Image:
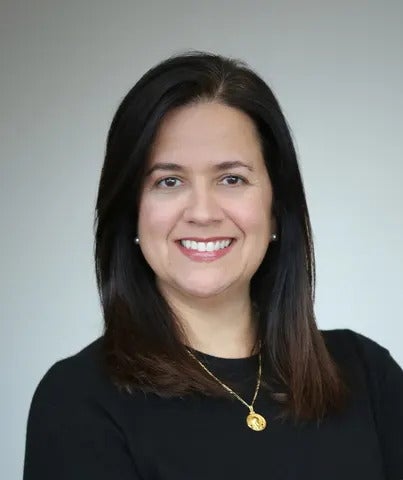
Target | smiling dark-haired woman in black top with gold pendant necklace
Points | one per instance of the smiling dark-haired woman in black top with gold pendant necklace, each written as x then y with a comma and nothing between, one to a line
211,365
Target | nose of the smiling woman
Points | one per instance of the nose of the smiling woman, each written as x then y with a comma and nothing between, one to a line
202,207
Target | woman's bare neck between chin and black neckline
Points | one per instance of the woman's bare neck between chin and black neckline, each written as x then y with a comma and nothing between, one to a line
224,327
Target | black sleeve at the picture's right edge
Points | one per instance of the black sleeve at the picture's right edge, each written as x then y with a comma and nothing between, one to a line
385,378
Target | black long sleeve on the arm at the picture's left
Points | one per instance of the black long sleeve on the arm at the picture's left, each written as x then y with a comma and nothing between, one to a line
70,436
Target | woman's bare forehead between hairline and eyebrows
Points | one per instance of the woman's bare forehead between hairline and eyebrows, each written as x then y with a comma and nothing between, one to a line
209,129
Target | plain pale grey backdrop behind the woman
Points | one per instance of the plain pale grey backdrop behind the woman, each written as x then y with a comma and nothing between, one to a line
337,69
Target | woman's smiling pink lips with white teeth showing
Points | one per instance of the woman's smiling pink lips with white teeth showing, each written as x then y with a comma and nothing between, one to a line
205,250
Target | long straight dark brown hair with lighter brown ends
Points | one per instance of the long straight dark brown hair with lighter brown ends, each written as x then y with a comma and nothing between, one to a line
143,342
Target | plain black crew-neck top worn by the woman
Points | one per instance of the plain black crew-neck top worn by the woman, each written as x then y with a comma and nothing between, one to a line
80,427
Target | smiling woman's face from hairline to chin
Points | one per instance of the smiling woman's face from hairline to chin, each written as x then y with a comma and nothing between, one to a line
205,207
